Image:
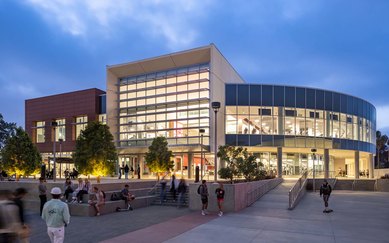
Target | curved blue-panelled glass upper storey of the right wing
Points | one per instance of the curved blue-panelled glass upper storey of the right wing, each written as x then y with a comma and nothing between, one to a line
297,117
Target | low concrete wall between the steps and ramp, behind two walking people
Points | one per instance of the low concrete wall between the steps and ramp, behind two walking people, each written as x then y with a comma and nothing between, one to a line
235,197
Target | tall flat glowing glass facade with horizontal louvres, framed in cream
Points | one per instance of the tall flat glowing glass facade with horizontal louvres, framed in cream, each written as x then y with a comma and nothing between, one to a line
173,103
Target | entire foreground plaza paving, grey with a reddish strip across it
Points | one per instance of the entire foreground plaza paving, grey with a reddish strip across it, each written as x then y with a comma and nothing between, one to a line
357,217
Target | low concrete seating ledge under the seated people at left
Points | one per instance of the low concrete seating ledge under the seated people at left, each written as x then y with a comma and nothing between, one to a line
84,209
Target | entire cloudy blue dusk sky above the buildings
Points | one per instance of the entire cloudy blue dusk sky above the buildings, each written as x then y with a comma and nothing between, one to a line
56,46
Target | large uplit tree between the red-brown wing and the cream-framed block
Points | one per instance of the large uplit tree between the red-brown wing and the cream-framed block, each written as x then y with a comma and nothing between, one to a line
95,153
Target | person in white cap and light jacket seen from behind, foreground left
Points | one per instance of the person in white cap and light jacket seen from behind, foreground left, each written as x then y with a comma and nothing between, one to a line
56,214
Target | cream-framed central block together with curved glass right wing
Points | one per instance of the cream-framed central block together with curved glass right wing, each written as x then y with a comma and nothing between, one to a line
290,129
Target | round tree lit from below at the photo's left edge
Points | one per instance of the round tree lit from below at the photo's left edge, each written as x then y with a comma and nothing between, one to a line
20,156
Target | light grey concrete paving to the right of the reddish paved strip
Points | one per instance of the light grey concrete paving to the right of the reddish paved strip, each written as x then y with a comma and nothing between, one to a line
357,217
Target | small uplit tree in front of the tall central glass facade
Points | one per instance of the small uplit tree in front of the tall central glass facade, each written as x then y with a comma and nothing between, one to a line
158,158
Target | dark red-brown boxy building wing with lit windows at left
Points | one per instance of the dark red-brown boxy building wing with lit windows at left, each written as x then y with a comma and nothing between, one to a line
61,118
